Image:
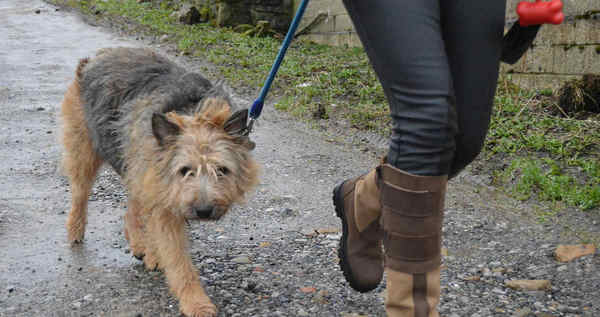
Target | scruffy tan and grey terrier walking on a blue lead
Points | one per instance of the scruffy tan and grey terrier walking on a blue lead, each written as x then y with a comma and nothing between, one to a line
178,144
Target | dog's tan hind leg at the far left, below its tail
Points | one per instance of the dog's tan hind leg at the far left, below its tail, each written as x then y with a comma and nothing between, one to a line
80,161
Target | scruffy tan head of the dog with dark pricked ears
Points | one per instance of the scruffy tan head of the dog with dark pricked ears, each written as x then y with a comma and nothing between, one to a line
210,166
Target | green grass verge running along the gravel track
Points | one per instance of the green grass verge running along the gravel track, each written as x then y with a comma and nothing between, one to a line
529,151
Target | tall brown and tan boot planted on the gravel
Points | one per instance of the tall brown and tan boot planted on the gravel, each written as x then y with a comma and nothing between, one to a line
412,216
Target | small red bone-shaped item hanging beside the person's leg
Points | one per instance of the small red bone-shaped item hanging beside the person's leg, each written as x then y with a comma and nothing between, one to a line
540,12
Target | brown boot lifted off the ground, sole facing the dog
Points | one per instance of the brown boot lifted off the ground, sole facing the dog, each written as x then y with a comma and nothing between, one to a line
361,256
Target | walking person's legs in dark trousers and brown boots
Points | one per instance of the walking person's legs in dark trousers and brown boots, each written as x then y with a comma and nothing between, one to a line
407,47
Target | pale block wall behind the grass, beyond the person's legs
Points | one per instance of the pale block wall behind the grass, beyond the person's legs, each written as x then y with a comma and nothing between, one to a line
559,53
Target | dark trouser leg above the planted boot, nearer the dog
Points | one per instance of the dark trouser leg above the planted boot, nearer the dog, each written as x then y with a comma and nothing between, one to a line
404,42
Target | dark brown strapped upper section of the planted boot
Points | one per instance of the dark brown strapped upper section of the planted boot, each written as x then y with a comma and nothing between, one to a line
412,220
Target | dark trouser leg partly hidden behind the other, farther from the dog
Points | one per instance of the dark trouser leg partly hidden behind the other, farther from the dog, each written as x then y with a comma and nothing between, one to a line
472,32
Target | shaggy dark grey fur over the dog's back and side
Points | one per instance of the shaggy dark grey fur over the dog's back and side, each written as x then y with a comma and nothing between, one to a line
122,87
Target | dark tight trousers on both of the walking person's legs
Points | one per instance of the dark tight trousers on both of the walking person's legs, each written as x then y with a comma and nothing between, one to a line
438,64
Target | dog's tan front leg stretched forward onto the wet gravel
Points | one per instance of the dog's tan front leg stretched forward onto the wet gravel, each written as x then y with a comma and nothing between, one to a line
167,232
